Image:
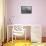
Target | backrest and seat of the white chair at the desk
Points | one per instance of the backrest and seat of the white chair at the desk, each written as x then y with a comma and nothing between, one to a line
18,30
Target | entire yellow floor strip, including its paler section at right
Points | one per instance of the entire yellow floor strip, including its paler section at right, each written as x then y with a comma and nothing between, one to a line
23,43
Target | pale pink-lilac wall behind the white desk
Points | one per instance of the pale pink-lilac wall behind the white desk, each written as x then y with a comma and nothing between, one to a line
38,15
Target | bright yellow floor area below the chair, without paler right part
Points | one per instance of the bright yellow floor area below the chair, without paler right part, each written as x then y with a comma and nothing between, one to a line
18,43
